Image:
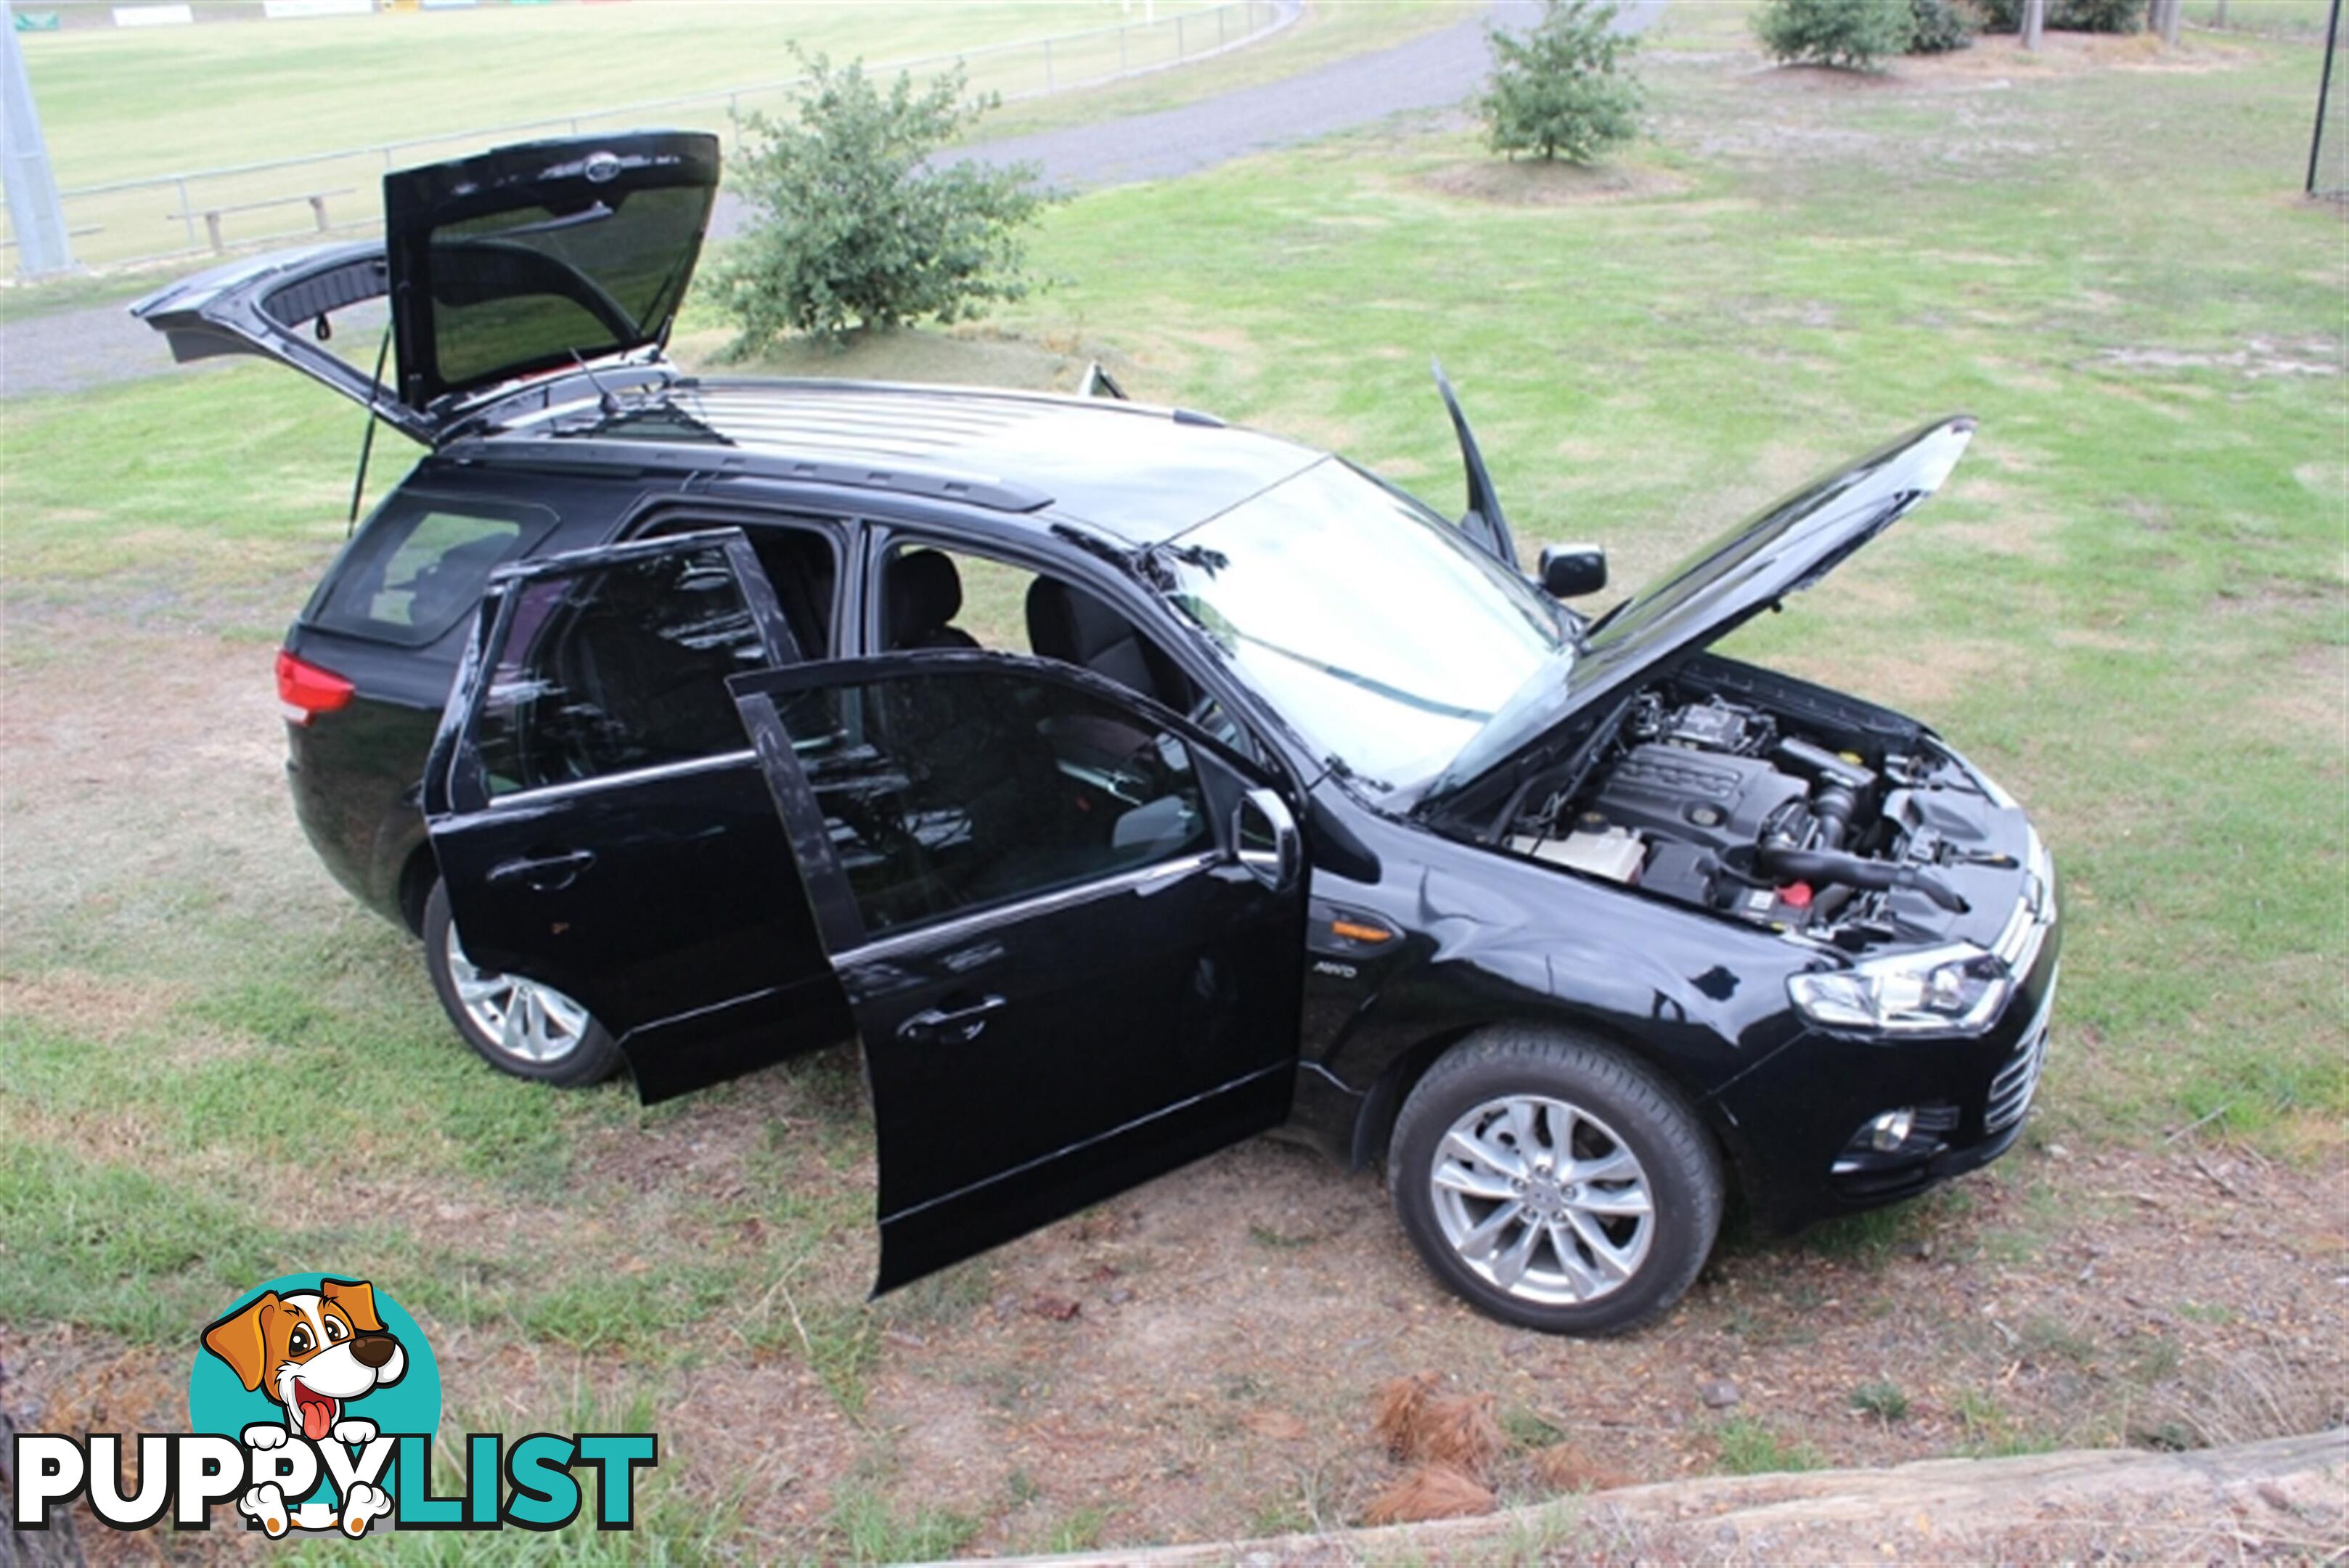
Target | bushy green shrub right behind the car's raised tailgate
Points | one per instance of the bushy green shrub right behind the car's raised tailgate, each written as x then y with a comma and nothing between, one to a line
854,227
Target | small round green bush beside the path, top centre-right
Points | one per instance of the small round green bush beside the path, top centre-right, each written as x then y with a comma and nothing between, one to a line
1566,88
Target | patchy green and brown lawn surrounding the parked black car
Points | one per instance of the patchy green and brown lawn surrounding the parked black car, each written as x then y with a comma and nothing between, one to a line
2129,605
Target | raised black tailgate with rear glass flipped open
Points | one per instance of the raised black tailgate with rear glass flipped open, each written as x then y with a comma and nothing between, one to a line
502,267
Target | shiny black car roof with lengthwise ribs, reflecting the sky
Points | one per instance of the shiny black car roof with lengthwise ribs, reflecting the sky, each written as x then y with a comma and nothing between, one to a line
1131,471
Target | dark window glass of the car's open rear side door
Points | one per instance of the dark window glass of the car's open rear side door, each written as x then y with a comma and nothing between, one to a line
617,669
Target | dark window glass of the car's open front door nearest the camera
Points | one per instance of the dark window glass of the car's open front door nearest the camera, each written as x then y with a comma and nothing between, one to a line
948,791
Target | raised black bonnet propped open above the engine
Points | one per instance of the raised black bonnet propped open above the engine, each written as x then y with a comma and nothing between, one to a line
1782,549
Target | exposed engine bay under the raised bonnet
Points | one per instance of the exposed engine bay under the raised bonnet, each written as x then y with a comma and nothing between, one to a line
1782,815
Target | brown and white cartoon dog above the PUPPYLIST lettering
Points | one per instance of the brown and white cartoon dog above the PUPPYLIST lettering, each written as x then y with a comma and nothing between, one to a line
316,1353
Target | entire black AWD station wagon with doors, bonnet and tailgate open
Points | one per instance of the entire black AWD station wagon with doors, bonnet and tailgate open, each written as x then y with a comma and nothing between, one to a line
652,706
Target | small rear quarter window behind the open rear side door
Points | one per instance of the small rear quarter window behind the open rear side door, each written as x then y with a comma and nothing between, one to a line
419,568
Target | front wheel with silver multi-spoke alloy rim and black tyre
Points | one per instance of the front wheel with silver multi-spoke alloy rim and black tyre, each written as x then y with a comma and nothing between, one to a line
1554,1184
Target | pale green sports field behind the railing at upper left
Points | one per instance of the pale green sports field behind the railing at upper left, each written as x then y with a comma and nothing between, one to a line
128,105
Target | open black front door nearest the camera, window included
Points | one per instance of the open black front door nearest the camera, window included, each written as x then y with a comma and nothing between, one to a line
1068,925
